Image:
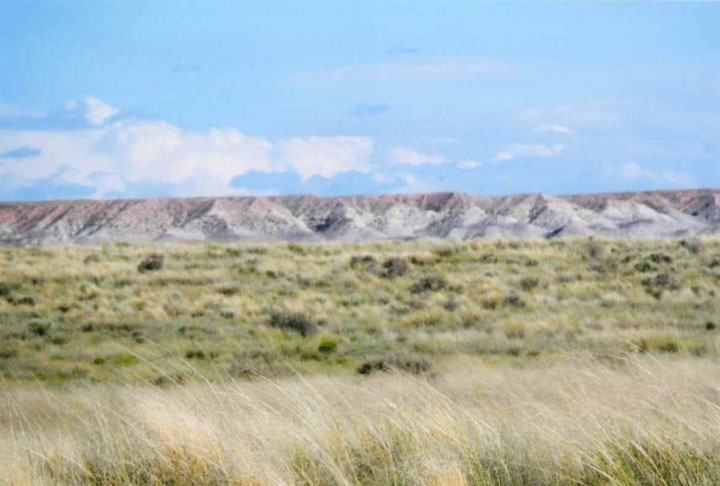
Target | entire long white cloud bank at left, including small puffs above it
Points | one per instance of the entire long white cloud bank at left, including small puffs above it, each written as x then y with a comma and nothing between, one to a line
115,158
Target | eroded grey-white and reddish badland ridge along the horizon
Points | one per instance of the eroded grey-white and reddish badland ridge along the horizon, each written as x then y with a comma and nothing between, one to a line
453,216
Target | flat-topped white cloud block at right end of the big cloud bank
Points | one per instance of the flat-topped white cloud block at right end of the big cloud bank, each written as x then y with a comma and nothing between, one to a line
326,156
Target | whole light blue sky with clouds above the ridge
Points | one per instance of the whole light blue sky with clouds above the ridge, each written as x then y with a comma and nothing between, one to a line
132,99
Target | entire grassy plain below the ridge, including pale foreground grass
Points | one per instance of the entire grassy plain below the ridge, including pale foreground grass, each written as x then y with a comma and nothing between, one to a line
579,362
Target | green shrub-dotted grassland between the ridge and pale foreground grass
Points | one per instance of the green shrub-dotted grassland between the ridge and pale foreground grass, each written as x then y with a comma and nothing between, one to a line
212,310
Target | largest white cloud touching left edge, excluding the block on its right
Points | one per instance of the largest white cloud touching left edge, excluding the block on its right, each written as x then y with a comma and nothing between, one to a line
112,158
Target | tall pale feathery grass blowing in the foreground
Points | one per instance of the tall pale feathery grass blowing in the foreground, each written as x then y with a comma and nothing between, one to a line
638,421
